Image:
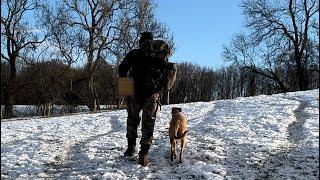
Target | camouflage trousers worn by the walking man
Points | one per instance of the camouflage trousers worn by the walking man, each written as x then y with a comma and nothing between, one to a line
148,106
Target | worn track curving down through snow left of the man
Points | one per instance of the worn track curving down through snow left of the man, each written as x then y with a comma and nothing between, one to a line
86,156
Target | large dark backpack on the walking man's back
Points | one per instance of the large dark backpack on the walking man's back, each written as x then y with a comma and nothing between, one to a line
160,74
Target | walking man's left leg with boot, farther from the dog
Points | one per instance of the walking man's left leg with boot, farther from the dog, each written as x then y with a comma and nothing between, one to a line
133,121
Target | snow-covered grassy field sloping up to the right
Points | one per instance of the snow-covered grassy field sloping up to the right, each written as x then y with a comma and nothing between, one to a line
263,137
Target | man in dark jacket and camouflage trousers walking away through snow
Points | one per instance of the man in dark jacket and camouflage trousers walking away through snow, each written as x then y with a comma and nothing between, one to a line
146,98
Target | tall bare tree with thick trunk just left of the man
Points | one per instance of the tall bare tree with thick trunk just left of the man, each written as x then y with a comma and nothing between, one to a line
96,26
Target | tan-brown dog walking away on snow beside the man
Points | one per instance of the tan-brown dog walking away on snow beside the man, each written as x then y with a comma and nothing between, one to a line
177,131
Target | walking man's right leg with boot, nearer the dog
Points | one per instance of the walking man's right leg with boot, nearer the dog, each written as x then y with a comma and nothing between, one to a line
148,121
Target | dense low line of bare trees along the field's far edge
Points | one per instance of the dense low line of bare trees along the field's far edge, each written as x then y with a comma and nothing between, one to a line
47,83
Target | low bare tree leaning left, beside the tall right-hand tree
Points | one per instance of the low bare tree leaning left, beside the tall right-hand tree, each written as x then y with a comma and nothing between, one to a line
264,60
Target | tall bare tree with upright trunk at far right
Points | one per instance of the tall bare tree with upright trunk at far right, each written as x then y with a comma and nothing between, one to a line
291,22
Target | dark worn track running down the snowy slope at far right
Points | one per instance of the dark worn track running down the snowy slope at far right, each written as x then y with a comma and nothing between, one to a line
288,158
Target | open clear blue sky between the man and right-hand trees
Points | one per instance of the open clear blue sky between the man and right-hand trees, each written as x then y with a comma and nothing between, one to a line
200,28
